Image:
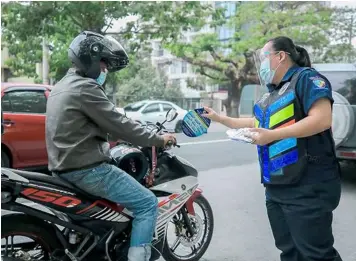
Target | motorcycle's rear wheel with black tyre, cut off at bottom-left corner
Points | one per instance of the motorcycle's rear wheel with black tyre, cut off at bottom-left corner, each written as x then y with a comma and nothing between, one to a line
26,241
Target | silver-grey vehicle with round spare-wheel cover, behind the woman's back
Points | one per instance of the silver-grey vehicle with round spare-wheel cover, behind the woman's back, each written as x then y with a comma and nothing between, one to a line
343,80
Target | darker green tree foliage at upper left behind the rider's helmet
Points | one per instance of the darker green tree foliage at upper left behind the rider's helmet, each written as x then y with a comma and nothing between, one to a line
24,24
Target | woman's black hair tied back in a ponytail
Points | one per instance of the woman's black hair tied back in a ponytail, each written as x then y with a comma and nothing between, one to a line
298,54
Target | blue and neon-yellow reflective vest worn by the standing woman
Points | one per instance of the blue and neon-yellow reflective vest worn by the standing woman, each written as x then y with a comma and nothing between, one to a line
282,161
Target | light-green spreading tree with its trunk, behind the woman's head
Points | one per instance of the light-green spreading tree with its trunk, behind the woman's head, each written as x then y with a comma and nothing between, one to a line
254,23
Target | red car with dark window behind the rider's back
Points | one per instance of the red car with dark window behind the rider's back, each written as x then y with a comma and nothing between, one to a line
23,144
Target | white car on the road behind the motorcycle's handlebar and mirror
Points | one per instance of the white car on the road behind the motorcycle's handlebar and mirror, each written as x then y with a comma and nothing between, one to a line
154,111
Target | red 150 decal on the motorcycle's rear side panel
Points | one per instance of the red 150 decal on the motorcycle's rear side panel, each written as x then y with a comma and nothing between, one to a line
50,197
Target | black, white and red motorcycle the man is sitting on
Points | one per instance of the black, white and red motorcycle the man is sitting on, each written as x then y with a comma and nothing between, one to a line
64,222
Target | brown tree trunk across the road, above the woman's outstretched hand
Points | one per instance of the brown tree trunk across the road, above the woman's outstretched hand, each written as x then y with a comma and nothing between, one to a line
232,103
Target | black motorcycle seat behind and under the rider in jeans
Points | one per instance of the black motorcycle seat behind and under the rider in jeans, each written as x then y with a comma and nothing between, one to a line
54,180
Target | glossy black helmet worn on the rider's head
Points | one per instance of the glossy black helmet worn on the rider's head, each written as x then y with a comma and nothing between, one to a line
89,48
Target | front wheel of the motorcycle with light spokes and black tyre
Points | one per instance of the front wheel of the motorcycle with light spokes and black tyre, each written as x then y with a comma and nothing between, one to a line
180,244
